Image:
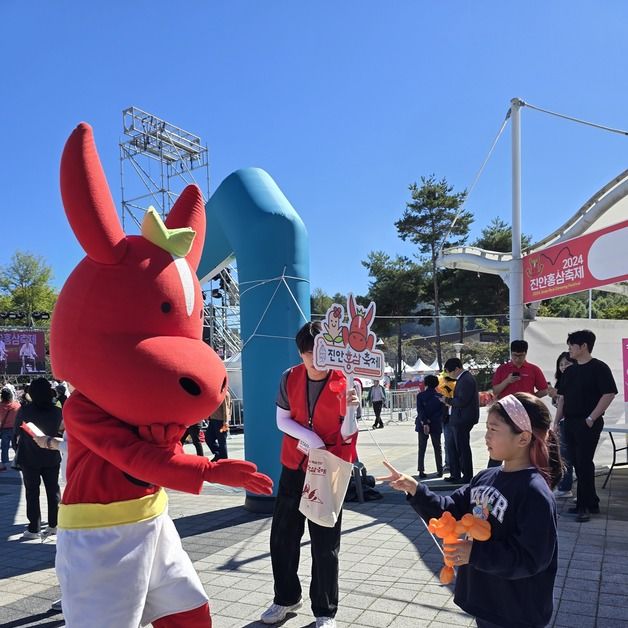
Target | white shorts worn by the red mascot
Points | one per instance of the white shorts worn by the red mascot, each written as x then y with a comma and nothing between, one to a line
125,576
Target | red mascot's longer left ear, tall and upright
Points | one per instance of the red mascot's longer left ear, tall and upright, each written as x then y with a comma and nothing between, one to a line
87,199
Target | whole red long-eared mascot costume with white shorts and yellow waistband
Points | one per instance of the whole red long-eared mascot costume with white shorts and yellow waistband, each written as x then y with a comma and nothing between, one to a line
126,333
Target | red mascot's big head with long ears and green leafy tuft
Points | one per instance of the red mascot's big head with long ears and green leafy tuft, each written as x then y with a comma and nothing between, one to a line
127,328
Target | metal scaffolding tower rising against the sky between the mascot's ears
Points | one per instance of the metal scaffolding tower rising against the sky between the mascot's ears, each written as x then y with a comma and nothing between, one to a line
157,159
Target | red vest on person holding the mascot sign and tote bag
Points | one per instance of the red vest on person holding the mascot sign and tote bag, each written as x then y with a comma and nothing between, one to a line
326,419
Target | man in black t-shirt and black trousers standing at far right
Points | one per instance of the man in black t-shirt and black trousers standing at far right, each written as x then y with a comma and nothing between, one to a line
586,390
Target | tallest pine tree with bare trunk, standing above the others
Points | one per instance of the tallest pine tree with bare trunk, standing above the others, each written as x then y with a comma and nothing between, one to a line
431,221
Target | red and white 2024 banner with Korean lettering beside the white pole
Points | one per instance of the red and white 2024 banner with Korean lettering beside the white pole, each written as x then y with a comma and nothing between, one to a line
589,261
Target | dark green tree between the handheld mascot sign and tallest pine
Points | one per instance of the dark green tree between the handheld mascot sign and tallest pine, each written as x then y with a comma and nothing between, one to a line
395,287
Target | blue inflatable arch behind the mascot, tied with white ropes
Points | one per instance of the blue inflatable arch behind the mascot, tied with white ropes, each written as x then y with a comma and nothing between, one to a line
249,218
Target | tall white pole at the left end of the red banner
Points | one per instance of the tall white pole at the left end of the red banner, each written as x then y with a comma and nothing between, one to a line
516,265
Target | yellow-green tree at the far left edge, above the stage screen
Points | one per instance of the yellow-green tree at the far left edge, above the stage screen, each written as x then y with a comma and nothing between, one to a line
25,286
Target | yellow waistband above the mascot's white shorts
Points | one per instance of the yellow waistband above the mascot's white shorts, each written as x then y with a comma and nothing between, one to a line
86,516
